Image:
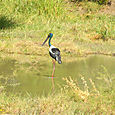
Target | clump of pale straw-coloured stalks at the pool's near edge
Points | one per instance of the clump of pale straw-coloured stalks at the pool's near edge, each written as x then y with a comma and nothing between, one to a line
81,94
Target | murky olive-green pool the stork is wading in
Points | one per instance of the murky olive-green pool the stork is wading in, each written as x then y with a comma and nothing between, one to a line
36,79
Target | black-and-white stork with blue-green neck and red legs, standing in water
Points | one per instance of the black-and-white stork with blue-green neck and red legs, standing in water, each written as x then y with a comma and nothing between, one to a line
54,52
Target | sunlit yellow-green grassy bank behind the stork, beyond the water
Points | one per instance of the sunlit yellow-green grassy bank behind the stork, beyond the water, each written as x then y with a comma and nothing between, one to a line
80,25
